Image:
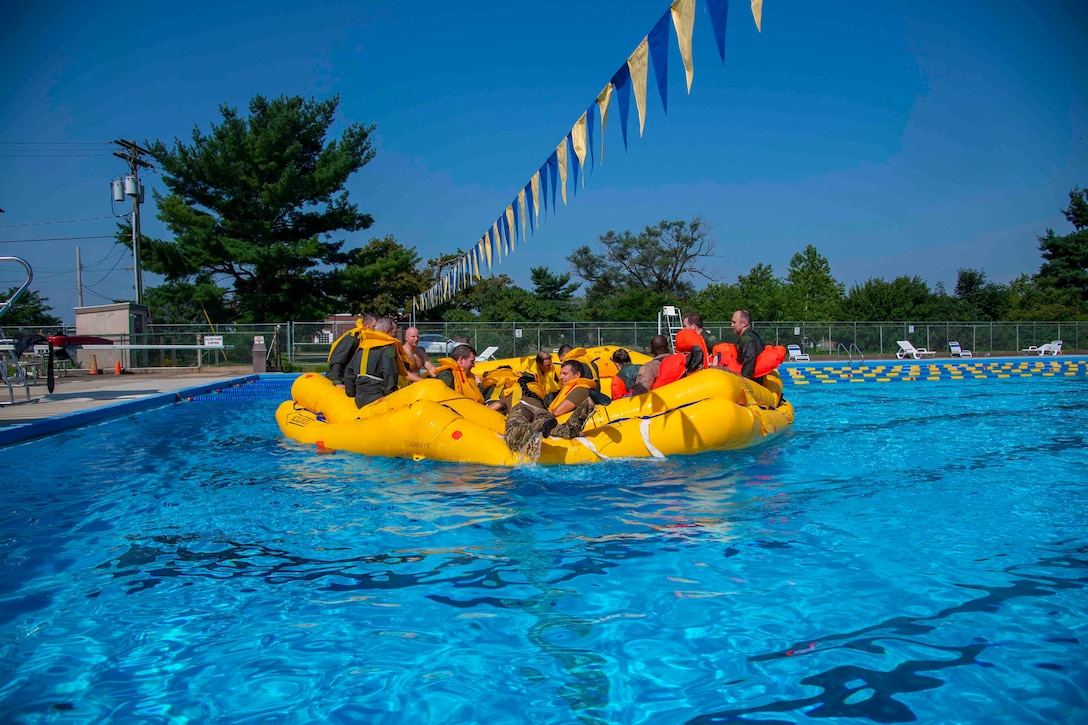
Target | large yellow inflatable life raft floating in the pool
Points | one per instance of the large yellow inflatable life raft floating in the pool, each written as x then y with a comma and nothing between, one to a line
712,410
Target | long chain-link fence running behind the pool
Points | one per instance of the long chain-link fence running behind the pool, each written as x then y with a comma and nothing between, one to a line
305,346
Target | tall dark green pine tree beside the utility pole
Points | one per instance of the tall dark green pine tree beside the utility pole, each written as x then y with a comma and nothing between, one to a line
257,202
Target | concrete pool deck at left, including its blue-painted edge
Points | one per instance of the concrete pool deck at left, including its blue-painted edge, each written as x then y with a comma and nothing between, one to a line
82,399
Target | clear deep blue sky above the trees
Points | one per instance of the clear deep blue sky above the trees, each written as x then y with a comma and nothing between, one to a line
898,138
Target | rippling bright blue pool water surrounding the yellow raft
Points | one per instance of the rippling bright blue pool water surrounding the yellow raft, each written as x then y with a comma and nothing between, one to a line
909,552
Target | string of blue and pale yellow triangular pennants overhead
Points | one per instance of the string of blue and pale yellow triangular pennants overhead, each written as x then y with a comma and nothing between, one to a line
523,215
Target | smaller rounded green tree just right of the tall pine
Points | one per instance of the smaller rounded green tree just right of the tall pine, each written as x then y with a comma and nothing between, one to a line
380,278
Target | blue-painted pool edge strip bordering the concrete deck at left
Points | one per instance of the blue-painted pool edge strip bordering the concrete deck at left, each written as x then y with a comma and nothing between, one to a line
20,433
